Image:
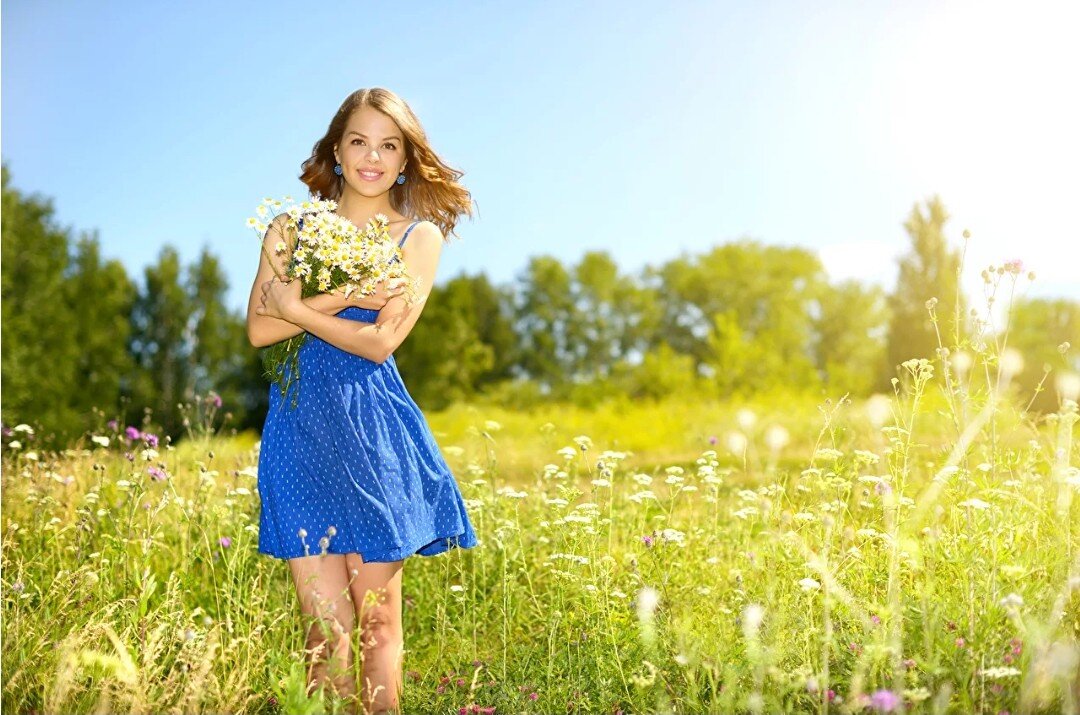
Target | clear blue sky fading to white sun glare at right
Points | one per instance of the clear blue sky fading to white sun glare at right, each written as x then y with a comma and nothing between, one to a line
645,130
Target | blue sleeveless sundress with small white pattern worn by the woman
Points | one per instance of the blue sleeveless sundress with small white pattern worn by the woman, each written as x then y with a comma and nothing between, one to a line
355,464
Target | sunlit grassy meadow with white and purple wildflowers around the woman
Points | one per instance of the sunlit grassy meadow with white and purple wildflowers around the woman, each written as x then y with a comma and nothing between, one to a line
916,552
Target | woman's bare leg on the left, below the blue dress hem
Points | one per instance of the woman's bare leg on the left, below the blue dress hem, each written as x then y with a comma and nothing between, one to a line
322,586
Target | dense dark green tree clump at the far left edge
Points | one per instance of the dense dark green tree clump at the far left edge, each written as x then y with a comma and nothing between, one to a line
63,321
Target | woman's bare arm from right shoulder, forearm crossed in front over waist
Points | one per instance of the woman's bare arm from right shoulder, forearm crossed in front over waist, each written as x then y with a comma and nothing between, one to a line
377,342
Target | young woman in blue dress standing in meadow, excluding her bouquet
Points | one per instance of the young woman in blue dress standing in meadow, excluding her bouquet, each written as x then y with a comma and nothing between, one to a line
352,481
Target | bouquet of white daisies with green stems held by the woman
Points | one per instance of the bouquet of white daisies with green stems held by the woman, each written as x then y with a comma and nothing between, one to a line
329,253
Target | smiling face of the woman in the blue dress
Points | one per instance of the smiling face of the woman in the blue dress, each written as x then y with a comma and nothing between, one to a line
371,152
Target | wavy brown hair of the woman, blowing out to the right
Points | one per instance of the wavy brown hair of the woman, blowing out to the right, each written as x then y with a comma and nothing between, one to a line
431,191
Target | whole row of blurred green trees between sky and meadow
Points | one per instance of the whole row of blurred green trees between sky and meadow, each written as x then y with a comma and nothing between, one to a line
84,343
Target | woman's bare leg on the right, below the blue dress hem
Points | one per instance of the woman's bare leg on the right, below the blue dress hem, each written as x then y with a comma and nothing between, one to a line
377,599
